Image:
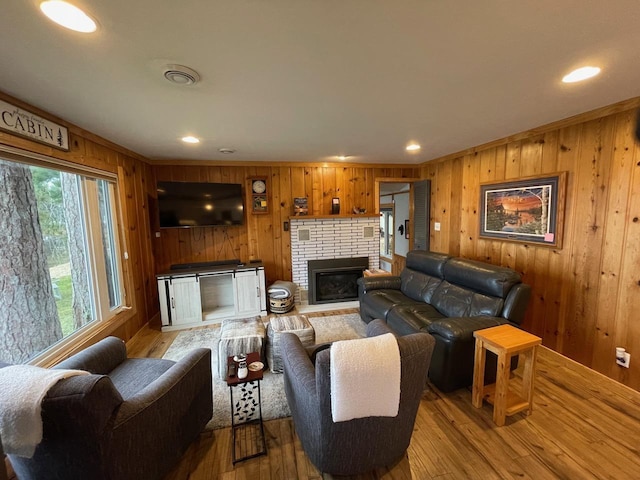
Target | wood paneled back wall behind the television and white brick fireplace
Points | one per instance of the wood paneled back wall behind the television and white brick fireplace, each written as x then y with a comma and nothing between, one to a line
263,236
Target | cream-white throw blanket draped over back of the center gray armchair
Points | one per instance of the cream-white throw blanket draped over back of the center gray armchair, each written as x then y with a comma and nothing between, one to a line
365,378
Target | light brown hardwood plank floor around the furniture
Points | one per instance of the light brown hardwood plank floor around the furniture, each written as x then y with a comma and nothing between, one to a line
584,425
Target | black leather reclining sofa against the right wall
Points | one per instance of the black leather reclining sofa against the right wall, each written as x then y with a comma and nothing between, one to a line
449,298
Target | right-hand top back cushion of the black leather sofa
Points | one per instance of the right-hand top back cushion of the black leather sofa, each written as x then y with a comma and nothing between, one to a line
481,277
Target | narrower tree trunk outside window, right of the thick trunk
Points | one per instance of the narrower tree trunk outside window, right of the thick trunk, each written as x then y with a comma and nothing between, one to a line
81,299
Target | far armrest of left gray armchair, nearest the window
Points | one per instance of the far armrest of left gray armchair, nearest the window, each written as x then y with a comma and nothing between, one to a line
100,358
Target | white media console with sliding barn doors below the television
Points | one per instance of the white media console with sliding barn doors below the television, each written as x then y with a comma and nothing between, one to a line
194,297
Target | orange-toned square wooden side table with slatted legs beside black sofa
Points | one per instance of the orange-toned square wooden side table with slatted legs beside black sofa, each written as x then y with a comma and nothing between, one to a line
505,341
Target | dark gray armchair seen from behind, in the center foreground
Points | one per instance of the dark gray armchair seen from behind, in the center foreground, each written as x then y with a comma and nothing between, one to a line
362,444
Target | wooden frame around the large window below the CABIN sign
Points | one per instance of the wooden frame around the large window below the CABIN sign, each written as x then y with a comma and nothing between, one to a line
102,327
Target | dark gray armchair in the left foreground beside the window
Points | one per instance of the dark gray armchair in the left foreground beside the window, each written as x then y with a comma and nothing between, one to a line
129,419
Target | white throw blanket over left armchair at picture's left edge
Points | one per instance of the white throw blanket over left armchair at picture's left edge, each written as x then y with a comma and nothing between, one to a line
22,388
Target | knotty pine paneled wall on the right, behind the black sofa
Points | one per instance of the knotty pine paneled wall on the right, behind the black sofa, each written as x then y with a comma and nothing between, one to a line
586,296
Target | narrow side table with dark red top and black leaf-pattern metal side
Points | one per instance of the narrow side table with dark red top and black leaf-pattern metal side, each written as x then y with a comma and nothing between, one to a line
246,413
